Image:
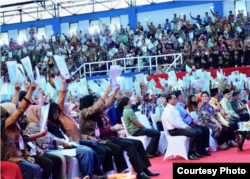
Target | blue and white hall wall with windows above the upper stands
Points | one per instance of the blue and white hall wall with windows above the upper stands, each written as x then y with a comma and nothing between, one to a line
156,12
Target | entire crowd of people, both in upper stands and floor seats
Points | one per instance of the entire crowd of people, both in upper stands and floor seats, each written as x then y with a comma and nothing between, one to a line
92,124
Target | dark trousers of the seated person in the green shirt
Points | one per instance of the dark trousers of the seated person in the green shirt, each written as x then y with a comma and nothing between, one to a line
155,137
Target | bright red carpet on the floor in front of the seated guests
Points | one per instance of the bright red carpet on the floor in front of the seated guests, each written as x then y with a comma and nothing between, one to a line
229,156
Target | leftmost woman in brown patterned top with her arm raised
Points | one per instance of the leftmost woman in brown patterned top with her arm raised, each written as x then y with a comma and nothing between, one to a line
12,140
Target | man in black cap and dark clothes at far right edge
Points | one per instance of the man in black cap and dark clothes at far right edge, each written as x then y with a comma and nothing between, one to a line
241,110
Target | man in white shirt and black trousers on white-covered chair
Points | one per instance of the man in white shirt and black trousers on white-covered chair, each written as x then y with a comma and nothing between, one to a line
176,127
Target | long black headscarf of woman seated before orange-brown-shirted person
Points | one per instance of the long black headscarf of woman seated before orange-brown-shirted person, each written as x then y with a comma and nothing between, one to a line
54,126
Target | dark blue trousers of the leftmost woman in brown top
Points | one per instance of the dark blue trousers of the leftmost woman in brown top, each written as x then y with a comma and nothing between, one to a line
30,170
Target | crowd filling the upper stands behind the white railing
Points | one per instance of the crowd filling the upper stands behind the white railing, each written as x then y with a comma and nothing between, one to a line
210,42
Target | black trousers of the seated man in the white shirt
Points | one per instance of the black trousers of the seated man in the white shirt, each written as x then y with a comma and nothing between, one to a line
193,134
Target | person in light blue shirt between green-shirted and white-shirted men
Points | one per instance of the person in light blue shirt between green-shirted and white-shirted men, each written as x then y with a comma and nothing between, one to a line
159,111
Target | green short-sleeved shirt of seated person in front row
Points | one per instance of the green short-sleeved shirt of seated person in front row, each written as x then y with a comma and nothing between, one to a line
128,117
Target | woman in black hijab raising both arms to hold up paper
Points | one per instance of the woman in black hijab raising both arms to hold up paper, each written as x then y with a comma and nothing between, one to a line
89,113
